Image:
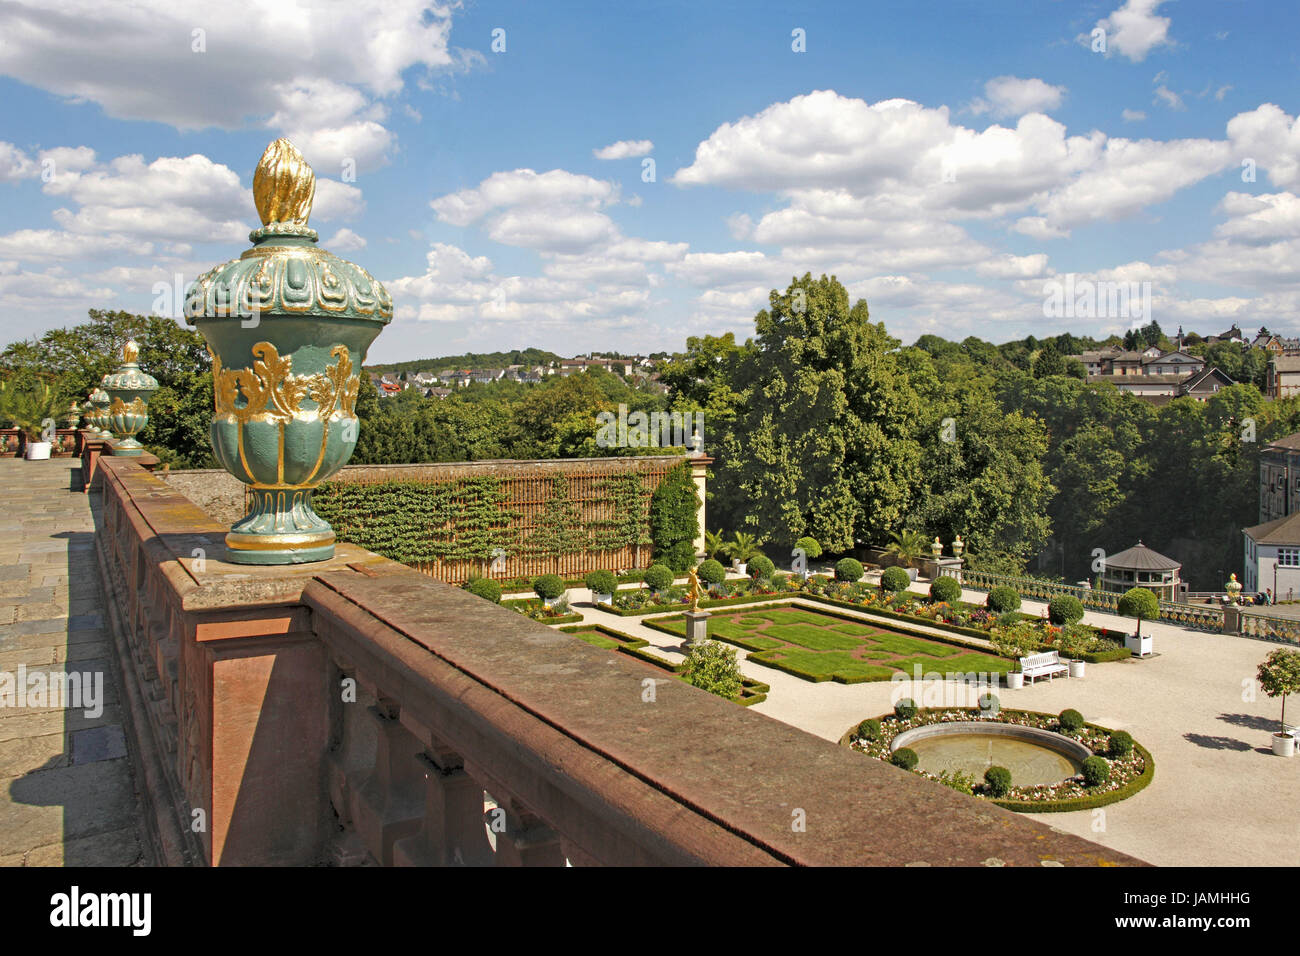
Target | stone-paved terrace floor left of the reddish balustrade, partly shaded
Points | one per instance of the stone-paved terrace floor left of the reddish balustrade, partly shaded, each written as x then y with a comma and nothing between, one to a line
67,790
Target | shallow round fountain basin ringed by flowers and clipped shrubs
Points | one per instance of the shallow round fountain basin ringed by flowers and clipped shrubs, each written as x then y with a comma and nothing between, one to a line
1033,755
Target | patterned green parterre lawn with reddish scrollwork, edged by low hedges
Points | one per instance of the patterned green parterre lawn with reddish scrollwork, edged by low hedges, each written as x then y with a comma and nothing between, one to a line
818,646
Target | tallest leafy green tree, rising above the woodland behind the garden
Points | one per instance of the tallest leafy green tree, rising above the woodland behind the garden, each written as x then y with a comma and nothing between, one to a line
822,443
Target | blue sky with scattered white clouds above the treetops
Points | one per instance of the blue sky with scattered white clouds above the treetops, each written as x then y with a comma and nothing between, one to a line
944,161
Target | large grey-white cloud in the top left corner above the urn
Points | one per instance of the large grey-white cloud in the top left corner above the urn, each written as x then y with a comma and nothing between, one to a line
313,70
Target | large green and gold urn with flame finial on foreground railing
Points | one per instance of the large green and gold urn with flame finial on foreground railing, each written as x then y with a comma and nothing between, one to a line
288,326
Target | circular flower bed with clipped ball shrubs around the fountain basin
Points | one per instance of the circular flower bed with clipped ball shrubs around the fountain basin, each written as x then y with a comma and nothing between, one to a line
1129,775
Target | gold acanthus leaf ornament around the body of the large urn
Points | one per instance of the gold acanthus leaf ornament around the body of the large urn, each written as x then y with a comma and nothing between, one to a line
274,393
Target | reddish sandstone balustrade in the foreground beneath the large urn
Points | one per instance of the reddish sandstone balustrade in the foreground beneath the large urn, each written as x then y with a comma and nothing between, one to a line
358,712
